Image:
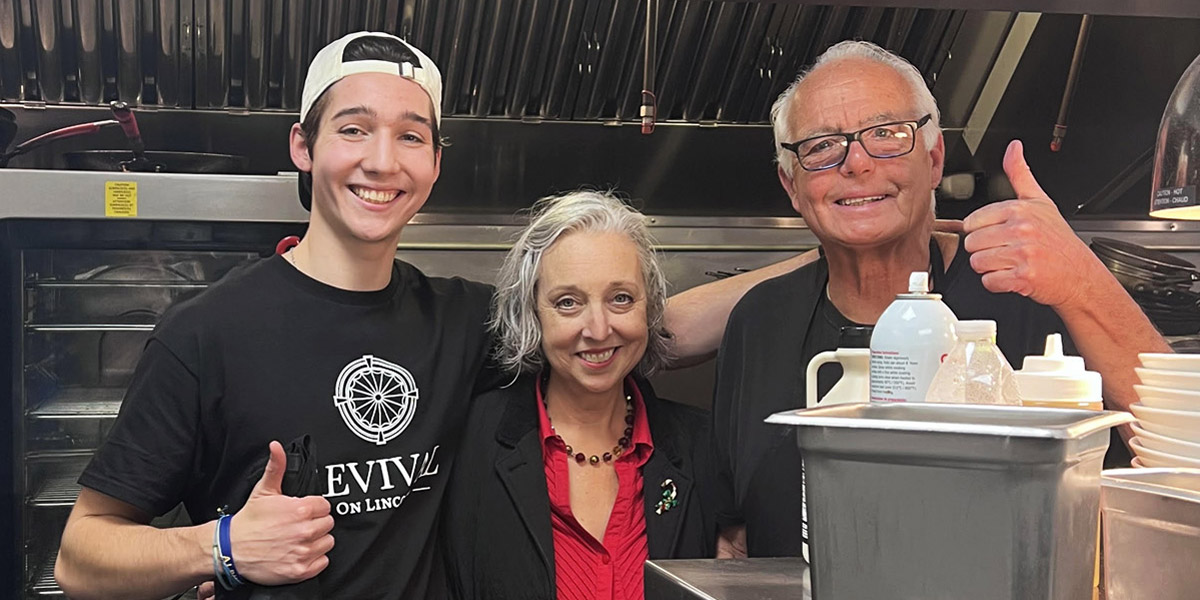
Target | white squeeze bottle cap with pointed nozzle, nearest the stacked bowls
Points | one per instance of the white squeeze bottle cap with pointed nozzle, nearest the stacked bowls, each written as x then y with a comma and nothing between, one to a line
1053,377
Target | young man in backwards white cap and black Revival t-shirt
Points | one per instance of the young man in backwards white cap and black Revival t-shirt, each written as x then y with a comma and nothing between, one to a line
338,341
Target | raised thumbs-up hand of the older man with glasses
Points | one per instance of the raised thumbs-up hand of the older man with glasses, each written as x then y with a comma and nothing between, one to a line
1025,245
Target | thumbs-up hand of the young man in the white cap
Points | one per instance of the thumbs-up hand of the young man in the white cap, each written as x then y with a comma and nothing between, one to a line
279,539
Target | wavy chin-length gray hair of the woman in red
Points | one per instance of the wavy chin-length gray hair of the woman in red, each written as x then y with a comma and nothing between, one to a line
515,307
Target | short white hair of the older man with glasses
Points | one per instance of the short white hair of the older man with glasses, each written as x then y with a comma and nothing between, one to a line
844,51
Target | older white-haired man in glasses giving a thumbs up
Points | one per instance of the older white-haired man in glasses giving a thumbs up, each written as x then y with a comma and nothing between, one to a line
860,155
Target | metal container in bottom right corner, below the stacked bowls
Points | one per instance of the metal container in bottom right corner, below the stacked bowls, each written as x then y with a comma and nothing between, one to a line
1151,533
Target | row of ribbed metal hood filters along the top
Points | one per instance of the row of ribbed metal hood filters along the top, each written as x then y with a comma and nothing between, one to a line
507,59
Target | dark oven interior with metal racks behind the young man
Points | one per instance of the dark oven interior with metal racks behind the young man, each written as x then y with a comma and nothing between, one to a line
82,317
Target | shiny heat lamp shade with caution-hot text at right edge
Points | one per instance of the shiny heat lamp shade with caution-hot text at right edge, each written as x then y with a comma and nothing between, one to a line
1178,152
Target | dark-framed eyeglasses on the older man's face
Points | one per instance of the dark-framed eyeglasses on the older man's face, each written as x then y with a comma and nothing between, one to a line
886,141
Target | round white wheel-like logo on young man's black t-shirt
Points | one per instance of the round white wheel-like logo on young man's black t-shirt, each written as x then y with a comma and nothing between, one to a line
377,399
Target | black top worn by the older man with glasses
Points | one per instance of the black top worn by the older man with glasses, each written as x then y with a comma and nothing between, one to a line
773,334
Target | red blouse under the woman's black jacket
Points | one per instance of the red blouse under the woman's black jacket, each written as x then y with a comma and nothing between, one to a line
586,569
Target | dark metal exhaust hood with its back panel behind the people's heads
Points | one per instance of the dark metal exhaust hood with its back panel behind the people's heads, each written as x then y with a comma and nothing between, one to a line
224,76
